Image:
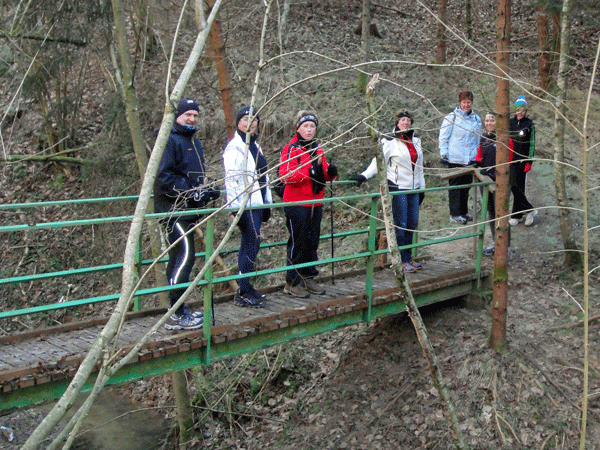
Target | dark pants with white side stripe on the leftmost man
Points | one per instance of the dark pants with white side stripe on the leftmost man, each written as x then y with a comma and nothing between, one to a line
181,256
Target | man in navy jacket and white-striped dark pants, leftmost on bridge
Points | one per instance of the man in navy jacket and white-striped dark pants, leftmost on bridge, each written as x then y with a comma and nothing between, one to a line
181,185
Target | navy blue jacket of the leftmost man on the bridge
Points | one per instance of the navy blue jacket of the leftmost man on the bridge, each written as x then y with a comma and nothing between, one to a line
181,171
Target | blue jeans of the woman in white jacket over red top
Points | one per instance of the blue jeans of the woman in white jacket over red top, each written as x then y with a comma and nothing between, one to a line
405,209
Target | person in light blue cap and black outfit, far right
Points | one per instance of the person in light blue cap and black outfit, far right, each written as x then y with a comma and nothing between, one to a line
522,133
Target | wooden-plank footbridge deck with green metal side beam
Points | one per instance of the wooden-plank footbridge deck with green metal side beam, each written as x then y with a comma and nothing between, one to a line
37,365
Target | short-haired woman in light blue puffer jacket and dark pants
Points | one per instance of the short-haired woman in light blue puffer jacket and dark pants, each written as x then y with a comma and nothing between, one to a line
458,141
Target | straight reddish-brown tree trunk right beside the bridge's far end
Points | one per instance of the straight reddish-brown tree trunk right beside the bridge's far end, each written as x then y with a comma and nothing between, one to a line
497,338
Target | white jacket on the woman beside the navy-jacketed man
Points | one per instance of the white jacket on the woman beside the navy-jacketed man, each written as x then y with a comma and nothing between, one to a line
233,160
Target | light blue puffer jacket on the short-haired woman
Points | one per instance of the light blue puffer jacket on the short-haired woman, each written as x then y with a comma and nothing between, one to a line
459,136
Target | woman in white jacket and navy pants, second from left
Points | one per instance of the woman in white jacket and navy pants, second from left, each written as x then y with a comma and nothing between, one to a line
246,171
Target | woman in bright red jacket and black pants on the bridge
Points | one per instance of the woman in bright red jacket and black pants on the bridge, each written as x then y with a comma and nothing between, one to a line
304,170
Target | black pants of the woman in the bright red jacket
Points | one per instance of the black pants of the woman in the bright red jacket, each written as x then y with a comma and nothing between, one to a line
304,225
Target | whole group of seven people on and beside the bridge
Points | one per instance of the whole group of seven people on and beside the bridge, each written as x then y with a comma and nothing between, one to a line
181,185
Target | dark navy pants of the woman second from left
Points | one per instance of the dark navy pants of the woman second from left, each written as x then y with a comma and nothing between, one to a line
249,225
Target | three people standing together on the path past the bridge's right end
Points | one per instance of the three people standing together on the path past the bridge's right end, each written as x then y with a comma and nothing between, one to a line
463,144
